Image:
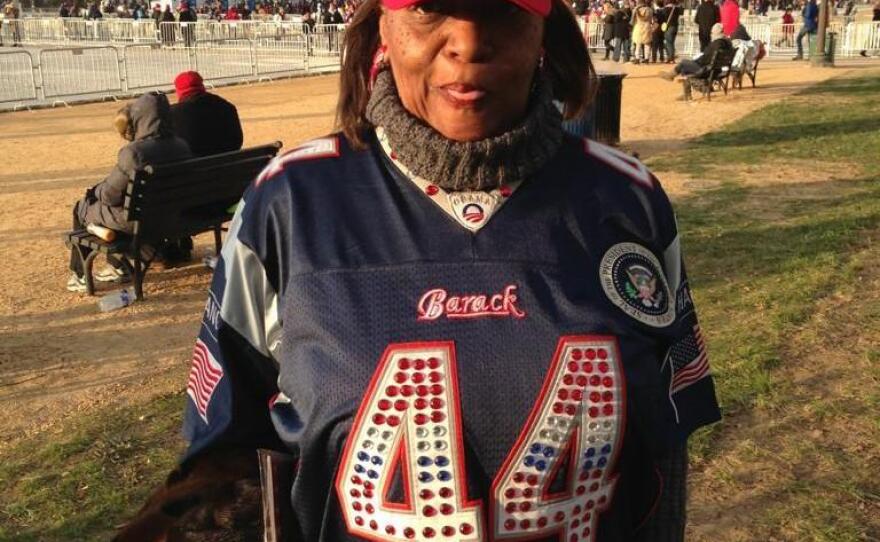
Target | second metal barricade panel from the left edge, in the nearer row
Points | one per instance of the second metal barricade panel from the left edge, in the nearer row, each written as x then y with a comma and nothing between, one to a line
80,71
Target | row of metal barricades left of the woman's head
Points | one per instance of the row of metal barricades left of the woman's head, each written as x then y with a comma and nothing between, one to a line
93,71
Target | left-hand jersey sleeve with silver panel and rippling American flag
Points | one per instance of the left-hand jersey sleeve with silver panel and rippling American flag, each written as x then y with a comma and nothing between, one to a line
234,369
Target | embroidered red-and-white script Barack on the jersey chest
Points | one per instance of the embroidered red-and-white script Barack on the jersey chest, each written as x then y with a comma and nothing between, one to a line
437,303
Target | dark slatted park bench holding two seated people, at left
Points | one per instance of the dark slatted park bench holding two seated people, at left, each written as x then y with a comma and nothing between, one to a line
172,201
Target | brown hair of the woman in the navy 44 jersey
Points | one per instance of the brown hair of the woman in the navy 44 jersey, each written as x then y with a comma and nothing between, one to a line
567,65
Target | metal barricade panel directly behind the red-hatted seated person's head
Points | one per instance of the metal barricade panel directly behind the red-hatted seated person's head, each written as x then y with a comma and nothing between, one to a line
151,66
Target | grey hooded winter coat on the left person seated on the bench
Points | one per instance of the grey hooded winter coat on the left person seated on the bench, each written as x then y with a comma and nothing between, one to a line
154,143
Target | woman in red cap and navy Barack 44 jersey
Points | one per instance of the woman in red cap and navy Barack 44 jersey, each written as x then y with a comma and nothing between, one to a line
463,323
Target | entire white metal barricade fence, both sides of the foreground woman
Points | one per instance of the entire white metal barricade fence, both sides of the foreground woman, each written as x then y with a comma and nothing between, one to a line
119,57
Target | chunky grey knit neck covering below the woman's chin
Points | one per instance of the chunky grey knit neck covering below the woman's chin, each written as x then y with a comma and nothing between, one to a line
474,165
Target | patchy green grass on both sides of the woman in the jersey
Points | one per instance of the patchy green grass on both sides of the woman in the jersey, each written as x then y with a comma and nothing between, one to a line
778,229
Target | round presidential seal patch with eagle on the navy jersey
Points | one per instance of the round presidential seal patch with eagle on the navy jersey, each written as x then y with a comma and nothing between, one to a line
633,280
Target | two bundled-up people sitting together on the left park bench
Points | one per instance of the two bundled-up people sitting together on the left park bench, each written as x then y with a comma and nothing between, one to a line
199,124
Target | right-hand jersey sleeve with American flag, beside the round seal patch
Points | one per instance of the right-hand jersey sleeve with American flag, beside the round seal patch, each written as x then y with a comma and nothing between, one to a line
684,357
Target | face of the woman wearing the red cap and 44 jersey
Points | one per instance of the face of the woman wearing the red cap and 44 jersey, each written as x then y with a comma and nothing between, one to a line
464,67
